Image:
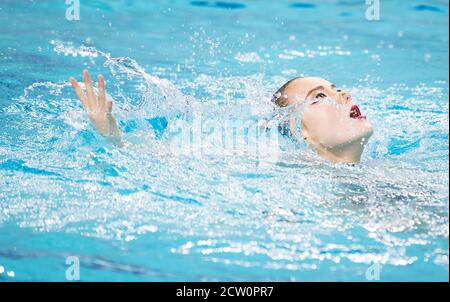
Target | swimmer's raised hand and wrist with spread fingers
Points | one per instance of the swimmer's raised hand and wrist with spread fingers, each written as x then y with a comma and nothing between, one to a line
99,109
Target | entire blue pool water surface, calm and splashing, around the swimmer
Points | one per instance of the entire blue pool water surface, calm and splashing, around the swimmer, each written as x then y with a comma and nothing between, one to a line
144,214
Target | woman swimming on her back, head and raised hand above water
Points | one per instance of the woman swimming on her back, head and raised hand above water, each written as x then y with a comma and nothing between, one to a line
331,122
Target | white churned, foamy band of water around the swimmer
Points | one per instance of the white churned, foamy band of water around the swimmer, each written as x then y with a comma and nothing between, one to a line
57,175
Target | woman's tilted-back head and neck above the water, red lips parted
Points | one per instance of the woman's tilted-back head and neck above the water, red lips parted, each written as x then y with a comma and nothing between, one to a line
331,122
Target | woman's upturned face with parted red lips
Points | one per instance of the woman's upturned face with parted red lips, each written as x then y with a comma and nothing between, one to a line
331,119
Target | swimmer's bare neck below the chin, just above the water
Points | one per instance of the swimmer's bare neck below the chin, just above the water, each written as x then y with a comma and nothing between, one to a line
348,153
